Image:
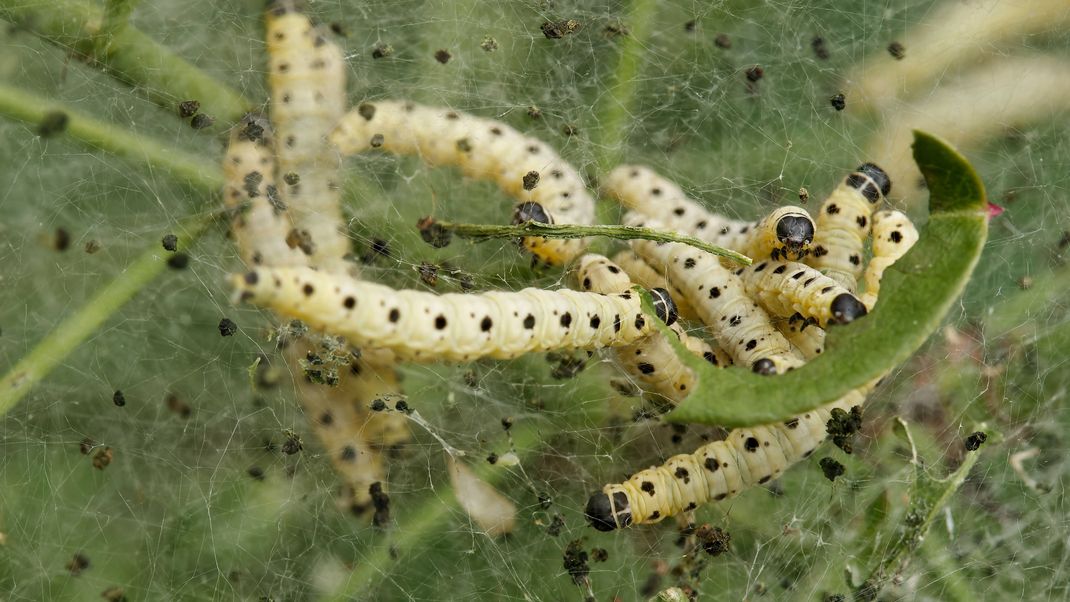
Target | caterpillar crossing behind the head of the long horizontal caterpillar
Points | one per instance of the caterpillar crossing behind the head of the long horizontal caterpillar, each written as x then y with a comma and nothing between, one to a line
652,361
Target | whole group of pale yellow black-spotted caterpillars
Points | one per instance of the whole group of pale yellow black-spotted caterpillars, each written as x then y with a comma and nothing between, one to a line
284,191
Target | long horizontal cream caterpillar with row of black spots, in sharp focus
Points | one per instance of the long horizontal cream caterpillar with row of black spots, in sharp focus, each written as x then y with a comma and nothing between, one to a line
425,327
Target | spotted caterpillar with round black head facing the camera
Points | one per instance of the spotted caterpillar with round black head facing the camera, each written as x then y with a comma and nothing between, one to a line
787,233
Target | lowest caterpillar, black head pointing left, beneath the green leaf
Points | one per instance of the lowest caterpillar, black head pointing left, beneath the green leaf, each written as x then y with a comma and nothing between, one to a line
716,471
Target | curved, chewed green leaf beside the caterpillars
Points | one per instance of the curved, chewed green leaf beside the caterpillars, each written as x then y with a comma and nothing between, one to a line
916,295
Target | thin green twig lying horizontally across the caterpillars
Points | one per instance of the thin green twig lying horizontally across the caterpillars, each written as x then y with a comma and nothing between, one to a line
487,231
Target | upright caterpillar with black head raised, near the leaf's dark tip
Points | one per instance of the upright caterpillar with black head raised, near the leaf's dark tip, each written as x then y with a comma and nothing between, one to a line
844,225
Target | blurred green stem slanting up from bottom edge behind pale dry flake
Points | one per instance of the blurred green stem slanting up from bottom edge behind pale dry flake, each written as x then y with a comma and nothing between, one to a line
434,515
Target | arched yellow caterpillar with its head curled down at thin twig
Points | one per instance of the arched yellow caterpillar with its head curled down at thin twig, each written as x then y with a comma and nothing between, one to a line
547,189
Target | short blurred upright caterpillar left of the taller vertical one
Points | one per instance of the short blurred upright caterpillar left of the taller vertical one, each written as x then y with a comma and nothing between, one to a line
261,223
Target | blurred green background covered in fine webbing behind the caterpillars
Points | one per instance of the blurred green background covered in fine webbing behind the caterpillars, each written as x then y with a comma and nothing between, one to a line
177,516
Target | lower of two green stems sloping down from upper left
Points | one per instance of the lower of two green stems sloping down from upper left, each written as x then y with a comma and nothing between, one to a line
186,167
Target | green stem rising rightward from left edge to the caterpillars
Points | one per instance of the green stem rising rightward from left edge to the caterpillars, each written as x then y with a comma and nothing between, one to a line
80,326
